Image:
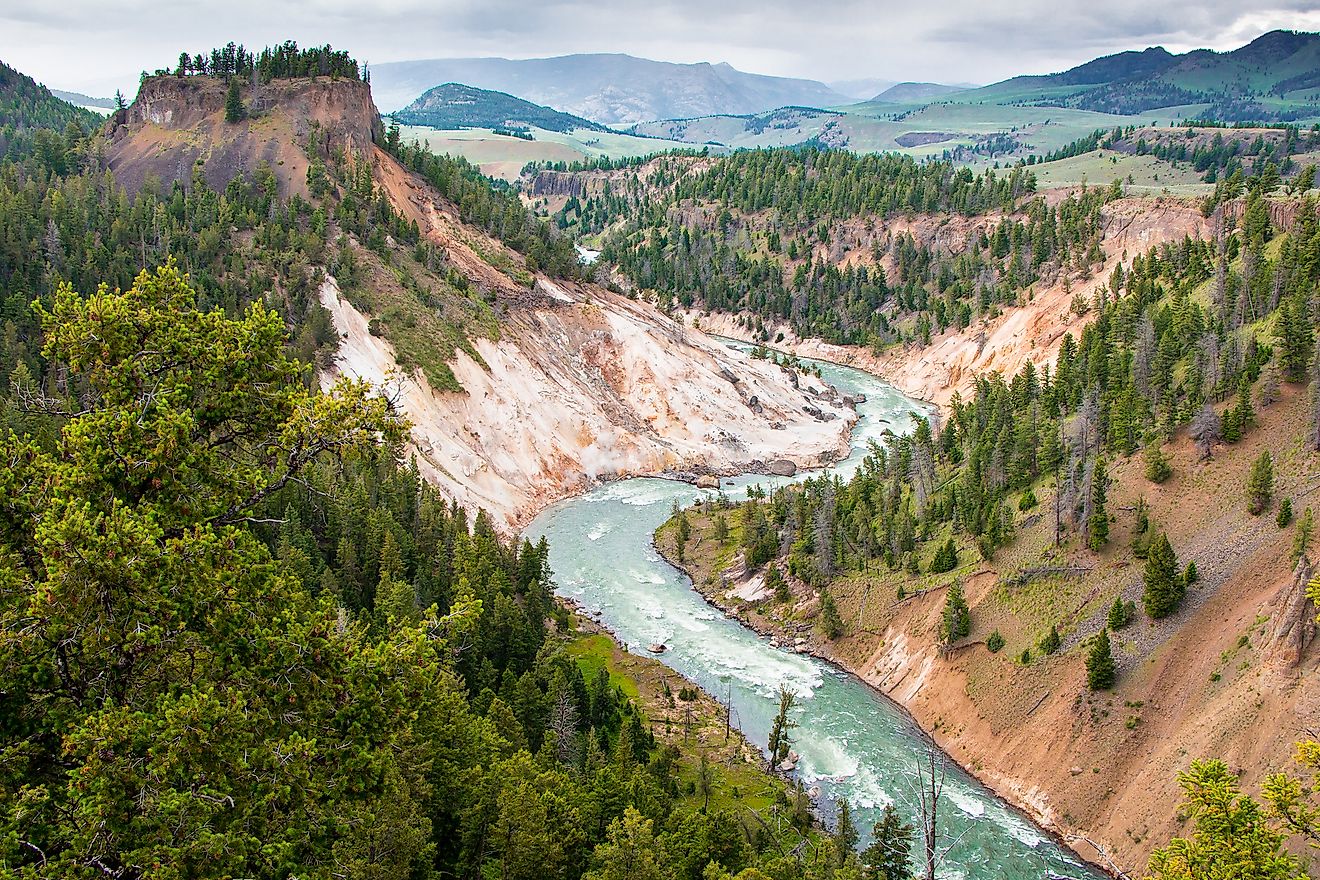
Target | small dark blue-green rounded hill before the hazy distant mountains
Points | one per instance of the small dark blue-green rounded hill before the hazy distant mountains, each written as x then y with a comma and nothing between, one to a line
459,106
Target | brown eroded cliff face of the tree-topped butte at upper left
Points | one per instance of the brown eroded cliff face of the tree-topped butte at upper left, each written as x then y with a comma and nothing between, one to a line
176,123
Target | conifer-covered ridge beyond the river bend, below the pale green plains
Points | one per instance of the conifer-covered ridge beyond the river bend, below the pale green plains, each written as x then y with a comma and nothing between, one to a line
762,234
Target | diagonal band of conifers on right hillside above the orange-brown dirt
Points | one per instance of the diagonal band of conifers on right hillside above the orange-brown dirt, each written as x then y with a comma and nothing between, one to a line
1191,337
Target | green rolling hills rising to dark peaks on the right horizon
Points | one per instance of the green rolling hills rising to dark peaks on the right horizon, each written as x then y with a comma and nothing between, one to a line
1273,80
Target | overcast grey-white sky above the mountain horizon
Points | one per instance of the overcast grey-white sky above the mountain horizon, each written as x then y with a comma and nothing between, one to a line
98,46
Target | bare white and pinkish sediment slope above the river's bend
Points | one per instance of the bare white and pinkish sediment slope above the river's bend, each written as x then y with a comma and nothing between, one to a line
580,393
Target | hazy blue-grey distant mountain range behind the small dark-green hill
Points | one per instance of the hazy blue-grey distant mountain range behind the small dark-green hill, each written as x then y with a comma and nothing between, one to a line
609,89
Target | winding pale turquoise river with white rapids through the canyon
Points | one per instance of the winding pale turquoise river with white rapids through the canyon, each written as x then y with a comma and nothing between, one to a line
853,742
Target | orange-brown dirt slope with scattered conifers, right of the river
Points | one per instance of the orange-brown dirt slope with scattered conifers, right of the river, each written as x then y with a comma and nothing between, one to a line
1234,675
